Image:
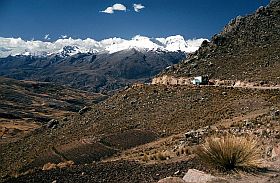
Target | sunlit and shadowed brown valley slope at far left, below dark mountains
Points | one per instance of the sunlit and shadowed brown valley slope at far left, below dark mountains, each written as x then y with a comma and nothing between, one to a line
27,105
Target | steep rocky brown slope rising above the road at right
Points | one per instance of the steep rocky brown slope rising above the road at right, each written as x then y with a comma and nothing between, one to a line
247,49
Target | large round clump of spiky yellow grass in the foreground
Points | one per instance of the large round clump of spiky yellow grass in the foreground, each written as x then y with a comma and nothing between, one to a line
230,153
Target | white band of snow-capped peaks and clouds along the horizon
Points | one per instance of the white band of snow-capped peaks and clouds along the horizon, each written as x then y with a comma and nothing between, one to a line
70,46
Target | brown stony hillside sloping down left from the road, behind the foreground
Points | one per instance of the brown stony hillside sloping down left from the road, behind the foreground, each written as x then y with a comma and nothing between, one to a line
130,118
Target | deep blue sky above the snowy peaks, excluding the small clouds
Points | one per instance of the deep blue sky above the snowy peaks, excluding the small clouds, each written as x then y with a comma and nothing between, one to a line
33,19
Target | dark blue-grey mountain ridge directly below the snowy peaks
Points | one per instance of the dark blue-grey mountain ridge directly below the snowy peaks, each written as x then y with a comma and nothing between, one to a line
89,71
